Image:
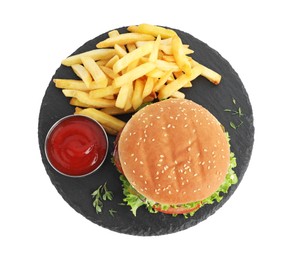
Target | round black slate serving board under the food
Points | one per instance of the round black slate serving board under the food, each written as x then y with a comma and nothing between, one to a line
76,191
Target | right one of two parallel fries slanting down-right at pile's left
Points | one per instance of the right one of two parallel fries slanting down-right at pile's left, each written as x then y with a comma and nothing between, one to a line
95,71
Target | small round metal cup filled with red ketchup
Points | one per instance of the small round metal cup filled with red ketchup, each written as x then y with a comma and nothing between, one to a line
76,146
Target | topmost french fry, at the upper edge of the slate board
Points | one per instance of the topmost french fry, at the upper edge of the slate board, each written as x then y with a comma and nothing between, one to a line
152,30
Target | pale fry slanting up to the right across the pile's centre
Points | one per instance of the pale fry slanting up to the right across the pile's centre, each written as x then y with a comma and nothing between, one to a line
135,73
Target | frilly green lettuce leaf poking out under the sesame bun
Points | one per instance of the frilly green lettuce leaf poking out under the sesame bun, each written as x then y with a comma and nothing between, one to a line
135,200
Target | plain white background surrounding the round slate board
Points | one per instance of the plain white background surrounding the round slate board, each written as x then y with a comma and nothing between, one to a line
36,223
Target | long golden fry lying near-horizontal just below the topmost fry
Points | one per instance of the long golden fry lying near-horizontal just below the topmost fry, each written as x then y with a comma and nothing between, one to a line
124,38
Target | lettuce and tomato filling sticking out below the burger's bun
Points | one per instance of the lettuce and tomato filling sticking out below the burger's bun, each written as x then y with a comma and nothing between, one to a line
135,200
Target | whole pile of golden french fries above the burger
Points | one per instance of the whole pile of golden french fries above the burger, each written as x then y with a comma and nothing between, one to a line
130,69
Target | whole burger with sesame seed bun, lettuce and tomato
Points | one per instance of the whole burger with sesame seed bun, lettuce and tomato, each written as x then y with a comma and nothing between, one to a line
174,157
